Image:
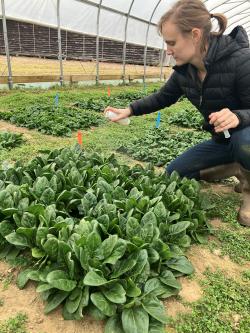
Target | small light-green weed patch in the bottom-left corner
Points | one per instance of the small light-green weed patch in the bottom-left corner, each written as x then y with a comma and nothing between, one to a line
14,324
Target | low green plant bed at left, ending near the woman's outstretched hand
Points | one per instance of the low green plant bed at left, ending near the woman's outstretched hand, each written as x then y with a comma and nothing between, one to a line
59,121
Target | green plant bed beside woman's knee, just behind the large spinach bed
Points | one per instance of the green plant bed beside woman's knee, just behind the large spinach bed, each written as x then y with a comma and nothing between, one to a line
160,146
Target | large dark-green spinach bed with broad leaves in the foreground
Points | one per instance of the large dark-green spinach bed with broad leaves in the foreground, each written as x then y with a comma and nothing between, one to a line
105,238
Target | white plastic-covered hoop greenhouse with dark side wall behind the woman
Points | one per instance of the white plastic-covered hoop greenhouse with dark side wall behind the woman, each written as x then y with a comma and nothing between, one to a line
121,31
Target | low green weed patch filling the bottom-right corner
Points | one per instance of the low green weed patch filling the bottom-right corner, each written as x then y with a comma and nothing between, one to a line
224,307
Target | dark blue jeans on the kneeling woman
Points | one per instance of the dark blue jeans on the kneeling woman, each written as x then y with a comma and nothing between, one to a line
211,153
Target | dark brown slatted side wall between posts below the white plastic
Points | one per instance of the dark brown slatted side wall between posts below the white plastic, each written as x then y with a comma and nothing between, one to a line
40,41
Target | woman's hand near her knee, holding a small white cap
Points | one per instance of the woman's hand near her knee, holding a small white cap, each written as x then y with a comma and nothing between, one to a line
223,120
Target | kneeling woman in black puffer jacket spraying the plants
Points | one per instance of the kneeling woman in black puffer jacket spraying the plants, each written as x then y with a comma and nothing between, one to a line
213,71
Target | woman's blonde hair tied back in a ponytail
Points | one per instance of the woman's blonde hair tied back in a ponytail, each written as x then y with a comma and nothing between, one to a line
189,14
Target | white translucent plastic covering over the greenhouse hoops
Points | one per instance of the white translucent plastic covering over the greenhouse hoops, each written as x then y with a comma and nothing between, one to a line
141,16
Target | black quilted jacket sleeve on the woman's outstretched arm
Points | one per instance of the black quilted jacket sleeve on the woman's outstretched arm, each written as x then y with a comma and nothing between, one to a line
166,96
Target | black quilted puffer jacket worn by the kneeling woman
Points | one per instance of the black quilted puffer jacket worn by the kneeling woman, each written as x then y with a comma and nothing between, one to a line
227,84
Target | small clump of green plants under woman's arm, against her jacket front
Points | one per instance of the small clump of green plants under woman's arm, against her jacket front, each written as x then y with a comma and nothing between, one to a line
189,118
